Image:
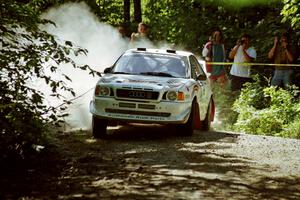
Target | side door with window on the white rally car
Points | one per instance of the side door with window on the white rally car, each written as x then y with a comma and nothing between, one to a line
204,91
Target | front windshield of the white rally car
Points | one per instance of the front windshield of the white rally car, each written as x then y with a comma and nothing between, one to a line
152,64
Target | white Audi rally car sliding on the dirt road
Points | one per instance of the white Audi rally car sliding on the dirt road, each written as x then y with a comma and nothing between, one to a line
153,86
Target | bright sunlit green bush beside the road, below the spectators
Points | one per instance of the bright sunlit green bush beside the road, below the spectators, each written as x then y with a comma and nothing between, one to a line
267,110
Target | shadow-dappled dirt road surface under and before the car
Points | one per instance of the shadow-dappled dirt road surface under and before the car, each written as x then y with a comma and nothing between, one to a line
151,162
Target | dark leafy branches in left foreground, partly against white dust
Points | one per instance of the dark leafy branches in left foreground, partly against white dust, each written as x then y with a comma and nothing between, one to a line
24,52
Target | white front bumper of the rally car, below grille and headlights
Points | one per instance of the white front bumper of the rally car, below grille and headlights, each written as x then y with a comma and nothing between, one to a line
164,112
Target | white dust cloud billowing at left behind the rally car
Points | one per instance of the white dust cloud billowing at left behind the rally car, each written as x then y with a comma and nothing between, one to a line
75,22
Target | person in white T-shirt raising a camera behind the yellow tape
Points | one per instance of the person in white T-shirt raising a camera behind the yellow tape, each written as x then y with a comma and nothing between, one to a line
241,53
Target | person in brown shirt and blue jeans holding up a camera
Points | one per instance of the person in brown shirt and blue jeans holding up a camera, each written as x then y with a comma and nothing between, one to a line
283,53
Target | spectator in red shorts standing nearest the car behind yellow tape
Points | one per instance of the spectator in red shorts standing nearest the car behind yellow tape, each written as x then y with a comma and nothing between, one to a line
214,51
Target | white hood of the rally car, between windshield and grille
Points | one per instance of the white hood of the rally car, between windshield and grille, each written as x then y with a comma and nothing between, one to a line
143,81
